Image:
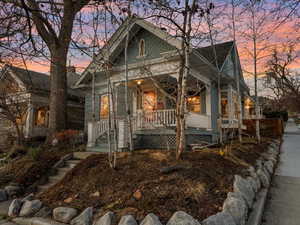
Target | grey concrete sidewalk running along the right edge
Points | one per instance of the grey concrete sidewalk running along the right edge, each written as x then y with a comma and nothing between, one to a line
283,205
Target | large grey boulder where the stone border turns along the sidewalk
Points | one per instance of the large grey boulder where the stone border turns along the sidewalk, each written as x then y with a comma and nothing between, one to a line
237,208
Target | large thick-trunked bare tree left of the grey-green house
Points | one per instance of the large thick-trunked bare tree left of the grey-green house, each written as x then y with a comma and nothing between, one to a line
53,22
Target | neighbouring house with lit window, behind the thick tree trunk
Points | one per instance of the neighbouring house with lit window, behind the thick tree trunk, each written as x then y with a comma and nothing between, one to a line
32,89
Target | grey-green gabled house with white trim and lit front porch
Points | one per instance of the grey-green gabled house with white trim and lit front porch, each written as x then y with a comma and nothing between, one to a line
153,68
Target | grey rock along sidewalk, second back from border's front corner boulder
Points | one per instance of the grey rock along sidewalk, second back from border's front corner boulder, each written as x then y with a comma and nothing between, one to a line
242,186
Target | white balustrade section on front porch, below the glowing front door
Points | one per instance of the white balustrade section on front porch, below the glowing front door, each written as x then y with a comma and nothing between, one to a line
157,118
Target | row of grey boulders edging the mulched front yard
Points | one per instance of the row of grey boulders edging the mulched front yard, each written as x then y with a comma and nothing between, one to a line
236,207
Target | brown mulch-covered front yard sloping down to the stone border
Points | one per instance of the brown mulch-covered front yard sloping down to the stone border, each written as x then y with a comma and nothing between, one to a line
138,186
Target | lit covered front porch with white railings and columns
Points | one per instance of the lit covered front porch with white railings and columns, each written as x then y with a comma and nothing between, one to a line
153,108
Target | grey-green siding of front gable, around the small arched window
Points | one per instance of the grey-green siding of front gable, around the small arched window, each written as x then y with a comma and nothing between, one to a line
153,47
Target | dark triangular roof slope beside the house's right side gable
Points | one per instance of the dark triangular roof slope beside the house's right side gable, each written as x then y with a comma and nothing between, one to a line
222,51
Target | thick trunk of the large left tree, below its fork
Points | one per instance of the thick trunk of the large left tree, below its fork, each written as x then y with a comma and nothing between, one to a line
58,90
